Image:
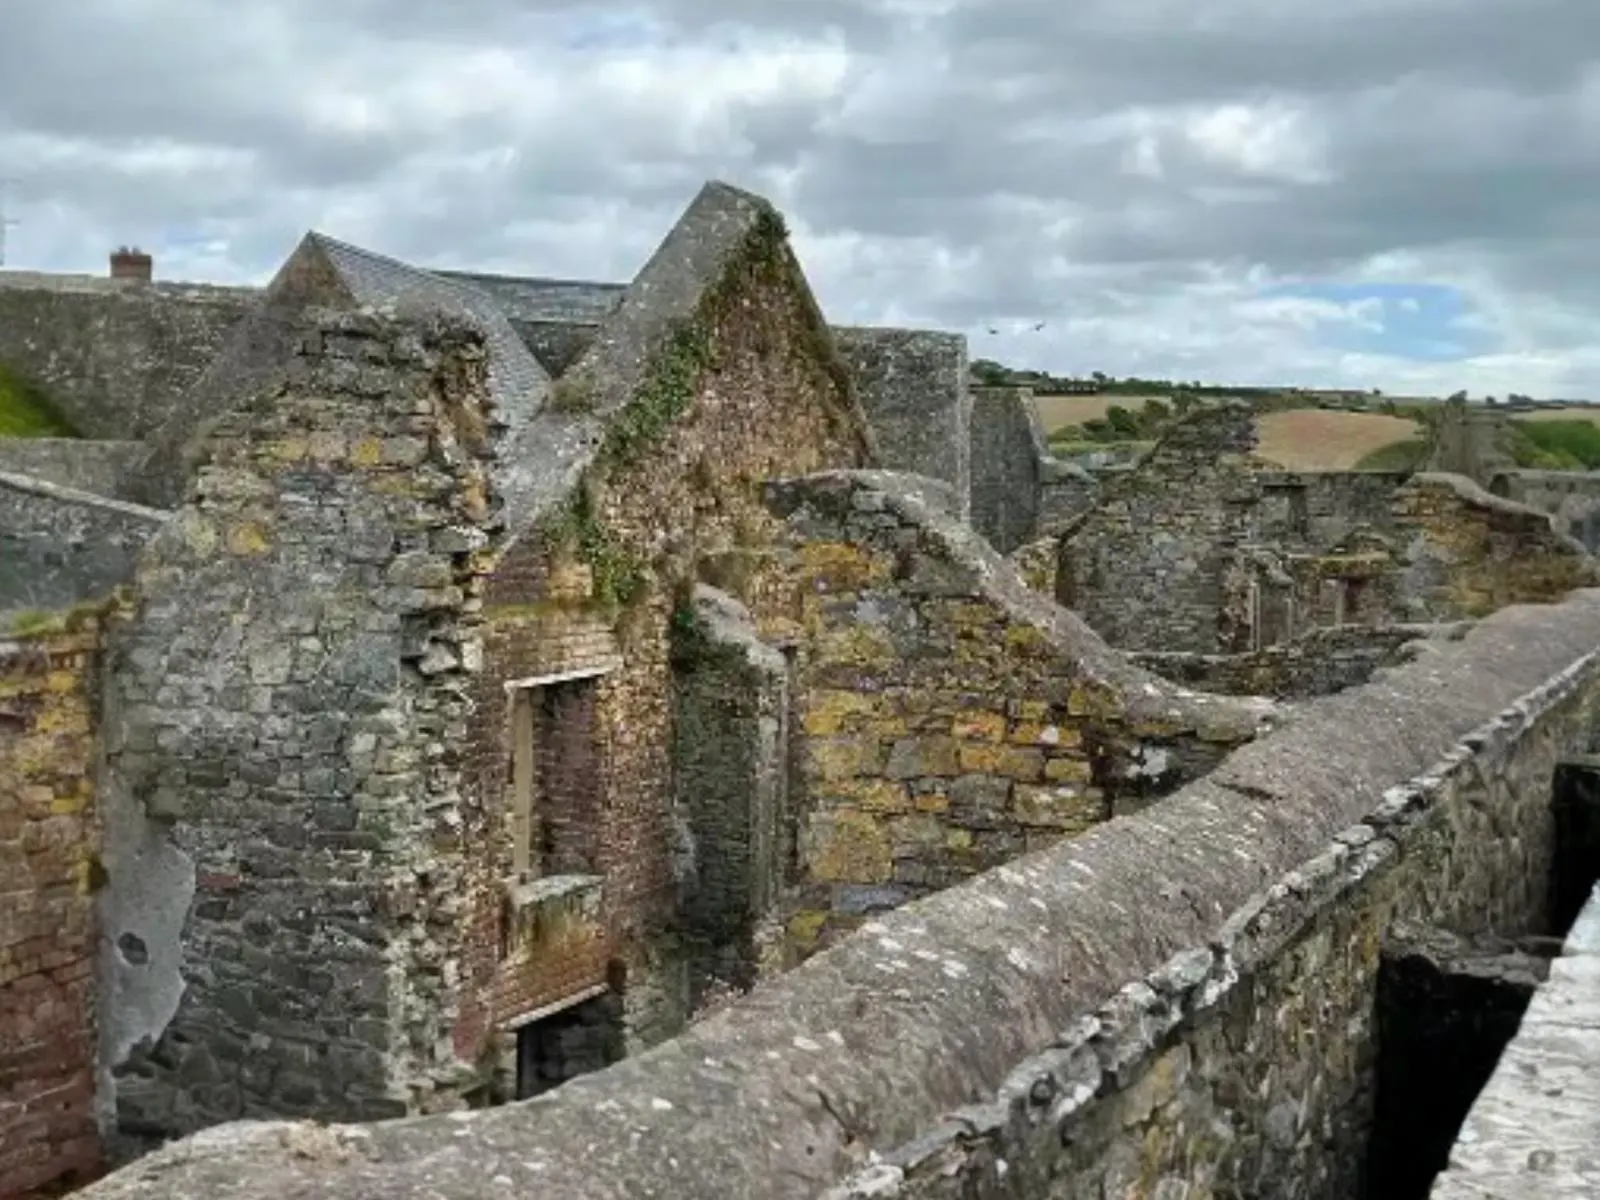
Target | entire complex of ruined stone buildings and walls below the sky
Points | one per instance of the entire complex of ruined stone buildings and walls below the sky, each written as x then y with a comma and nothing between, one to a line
426,690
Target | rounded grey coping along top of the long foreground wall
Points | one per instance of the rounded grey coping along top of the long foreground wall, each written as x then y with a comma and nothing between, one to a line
868,1049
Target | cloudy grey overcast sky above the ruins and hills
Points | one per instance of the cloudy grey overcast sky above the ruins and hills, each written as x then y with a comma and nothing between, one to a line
1367,193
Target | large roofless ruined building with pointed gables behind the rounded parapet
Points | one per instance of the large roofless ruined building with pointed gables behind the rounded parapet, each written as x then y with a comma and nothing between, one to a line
462,726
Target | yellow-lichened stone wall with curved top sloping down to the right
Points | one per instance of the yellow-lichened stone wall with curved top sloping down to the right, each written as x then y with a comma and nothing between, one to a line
951,719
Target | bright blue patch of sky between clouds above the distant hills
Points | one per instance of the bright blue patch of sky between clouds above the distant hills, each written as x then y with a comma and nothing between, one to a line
1420,321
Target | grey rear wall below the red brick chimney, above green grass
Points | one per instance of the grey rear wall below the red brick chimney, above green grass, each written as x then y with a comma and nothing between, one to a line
114,356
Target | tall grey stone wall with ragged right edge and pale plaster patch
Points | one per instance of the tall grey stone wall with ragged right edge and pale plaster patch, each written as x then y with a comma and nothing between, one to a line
286,710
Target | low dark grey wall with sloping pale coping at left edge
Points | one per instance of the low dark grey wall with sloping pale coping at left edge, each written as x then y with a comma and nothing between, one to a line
60,546
